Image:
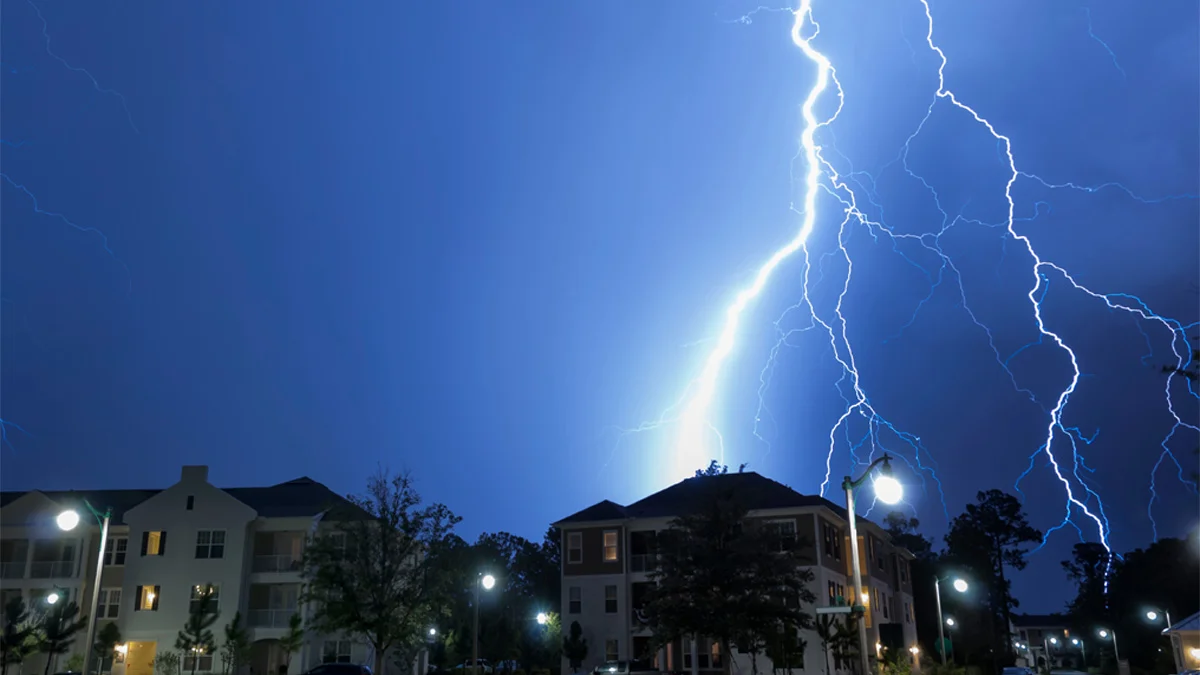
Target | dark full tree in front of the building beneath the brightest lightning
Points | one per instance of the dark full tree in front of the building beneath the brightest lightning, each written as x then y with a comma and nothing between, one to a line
724,578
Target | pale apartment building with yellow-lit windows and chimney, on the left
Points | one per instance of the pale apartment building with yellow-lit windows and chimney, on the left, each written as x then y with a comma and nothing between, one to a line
164,547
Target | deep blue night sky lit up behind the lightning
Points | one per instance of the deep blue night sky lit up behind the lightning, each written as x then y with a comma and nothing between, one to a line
484,241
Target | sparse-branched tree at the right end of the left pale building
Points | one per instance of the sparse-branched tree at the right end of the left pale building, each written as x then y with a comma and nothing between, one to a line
380,575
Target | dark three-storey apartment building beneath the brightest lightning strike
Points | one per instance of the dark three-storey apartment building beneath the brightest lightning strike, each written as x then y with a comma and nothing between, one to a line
609,554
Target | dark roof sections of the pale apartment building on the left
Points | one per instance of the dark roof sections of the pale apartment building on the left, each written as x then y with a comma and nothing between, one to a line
302,498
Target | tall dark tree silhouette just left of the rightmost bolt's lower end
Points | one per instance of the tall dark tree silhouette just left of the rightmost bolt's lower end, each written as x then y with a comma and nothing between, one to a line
993,535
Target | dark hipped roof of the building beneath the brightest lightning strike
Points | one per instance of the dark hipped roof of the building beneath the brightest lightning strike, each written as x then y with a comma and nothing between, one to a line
757,493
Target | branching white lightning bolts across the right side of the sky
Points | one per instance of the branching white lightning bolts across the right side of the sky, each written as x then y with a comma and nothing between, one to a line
1064,446
